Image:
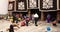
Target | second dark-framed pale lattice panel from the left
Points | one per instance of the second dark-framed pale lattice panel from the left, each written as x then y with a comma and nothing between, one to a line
21,5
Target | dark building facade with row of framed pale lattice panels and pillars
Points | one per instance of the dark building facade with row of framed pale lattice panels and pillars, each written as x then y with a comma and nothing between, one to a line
42,7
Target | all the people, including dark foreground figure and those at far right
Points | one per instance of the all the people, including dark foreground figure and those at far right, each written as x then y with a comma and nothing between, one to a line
23,20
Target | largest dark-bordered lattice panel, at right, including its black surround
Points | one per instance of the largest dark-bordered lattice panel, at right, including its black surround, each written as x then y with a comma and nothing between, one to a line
48,4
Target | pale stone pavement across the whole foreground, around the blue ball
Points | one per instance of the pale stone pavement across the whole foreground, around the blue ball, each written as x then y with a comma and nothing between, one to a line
31,28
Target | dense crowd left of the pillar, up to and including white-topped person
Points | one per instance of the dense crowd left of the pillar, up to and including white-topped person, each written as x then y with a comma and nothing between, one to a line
16,18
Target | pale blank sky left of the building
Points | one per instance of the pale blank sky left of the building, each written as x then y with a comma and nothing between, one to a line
3,7
